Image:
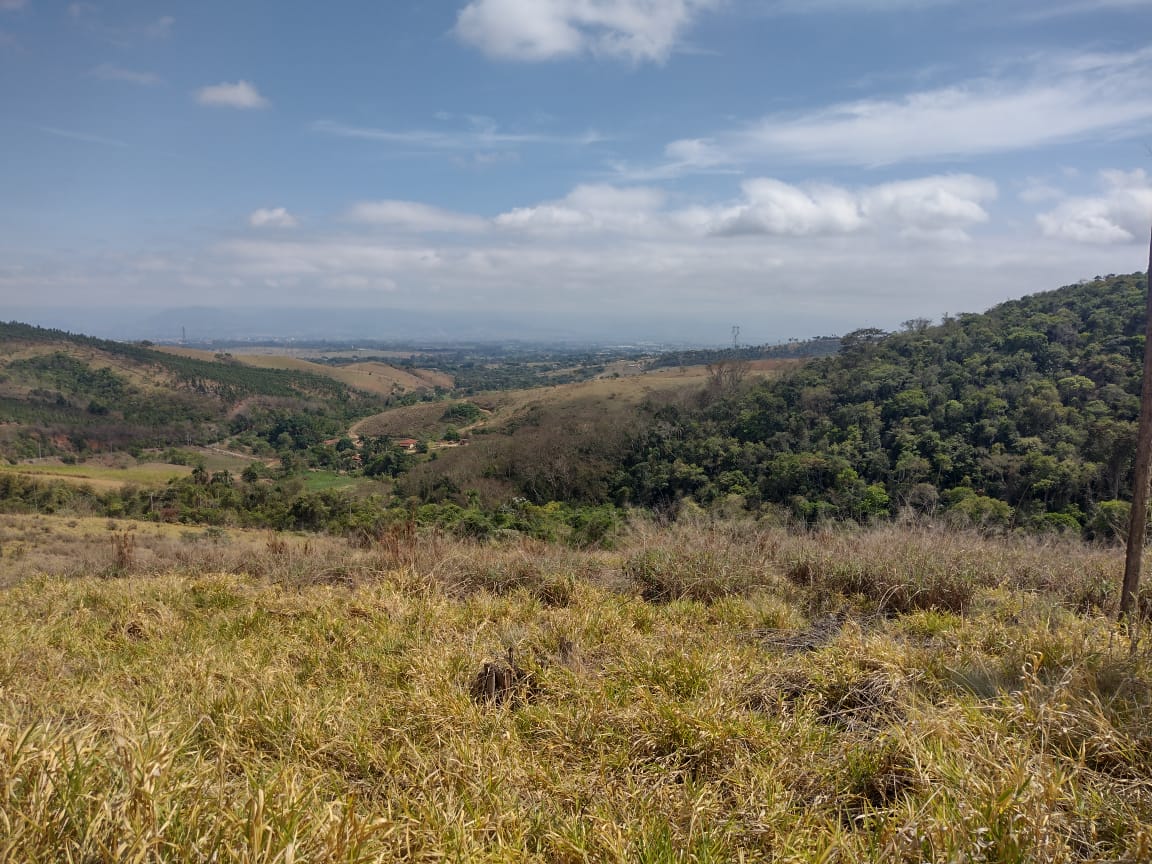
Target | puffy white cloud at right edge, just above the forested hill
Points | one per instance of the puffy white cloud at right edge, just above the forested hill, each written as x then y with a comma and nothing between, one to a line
1120,215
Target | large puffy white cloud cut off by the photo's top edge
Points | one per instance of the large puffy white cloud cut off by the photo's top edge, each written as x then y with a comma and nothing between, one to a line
636,31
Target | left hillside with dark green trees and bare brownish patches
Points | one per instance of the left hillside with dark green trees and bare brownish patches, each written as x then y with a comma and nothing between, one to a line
65,393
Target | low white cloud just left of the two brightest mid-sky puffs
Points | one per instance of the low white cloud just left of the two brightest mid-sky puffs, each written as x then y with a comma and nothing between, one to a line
592,208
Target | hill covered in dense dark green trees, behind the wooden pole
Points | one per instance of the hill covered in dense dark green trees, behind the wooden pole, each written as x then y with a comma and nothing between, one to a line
1025,415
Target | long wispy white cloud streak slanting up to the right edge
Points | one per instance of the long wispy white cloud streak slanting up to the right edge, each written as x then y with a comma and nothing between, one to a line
1087,95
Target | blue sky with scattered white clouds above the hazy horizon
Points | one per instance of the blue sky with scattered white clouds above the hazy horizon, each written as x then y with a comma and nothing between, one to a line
793,168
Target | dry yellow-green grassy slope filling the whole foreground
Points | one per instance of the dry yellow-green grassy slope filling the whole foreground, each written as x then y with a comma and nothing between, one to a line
702,694
